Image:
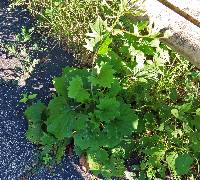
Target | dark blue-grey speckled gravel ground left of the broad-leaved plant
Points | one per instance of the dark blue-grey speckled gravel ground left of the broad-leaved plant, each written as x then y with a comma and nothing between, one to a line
18,157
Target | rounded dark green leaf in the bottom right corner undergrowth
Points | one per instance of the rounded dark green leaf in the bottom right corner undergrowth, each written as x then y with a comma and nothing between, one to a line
183,163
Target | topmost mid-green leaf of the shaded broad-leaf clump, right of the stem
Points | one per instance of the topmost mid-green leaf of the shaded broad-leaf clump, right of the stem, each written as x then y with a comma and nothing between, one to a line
105,77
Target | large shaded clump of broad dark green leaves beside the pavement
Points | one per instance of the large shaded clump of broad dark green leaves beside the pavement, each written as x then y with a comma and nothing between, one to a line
92,113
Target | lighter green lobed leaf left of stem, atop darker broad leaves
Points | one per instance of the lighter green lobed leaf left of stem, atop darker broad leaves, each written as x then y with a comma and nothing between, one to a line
76,90
